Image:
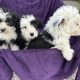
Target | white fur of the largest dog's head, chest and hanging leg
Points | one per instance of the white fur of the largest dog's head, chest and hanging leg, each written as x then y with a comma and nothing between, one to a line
64,23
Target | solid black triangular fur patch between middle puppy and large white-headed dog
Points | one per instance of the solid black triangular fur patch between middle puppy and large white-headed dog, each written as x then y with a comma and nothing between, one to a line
39,43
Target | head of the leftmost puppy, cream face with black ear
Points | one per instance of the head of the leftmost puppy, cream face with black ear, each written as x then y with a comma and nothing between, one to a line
8,24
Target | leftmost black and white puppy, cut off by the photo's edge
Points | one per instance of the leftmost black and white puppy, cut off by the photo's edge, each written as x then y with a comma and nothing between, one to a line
8,30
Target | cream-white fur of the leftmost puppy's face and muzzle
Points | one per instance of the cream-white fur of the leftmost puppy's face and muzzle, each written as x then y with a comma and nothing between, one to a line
9,32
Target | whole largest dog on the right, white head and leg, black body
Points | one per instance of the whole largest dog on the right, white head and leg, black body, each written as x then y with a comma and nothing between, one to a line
64,23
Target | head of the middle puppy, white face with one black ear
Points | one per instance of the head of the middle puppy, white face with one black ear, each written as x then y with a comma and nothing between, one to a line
29,27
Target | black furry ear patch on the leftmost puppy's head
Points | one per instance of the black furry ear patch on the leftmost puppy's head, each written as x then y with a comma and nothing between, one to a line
14,22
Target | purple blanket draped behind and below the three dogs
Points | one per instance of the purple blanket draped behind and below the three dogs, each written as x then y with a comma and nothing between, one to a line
39,64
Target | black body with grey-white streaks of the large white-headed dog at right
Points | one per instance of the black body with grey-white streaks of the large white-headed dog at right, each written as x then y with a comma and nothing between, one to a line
43,41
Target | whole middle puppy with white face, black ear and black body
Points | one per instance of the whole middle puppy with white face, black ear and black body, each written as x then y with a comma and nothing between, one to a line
29,26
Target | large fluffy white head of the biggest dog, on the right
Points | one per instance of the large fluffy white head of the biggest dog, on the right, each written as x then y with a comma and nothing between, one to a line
66,19
